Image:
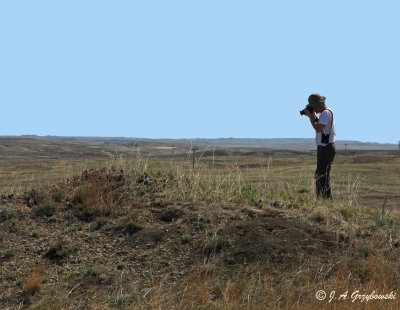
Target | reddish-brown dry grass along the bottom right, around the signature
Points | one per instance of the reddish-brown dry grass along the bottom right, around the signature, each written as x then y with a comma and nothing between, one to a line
266,287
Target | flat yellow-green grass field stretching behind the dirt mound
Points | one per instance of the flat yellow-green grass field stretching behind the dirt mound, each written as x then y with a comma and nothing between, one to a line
365,178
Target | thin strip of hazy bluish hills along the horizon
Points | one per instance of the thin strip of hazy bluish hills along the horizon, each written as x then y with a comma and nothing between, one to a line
245,143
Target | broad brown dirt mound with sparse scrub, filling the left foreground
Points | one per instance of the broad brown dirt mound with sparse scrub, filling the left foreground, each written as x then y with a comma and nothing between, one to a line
141,238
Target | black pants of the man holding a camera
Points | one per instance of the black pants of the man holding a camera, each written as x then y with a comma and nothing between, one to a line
325,156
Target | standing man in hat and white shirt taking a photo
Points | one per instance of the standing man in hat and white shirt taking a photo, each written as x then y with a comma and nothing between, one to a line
325,140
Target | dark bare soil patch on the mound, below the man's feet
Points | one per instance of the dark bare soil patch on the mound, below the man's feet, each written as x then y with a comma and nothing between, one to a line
269,236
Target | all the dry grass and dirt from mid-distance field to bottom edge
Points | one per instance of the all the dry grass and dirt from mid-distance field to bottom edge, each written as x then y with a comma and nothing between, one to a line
237,233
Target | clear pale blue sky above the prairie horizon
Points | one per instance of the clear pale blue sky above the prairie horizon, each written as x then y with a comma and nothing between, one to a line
198,69
